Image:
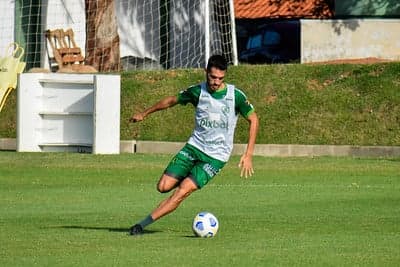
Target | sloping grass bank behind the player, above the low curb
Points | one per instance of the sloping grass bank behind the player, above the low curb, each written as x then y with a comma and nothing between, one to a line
297,104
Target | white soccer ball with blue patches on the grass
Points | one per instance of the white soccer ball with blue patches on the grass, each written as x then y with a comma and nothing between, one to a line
205,224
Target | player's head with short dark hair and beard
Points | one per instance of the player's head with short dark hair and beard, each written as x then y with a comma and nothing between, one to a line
215,72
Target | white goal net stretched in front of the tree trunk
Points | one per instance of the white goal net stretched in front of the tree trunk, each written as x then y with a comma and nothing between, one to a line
123,34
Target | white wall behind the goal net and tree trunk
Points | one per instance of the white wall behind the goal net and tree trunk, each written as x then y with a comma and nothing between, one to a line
138,27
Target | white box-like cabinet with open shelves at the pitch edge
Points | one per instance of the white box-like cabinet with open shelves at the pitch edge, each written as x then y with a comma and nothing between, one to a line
68,113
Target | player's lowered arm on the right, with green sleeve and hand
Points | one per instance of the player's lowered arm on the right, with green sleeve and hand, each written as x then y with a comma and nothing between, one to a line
247,110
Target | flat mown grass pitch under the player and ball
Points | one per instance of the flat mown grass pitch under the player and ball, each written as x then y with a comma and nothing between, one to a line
75,209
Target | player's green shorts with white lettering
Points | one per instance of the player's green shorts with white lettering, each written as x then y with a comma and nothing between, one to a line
191,162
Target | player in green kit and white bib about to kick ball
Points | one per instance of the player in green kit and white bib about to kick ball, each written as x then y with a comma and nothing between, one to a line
217,105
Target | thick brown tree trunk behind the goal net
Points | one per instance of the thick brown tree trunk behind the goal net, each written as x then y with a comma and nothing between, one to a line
102,40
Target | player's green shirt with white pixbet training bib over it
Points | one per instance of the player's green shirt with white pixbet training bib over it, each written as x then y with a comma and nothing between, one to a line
216,116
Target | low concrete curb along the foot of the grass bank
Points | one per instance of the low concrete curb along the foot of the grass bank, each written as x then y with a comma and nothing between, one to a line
268,150
